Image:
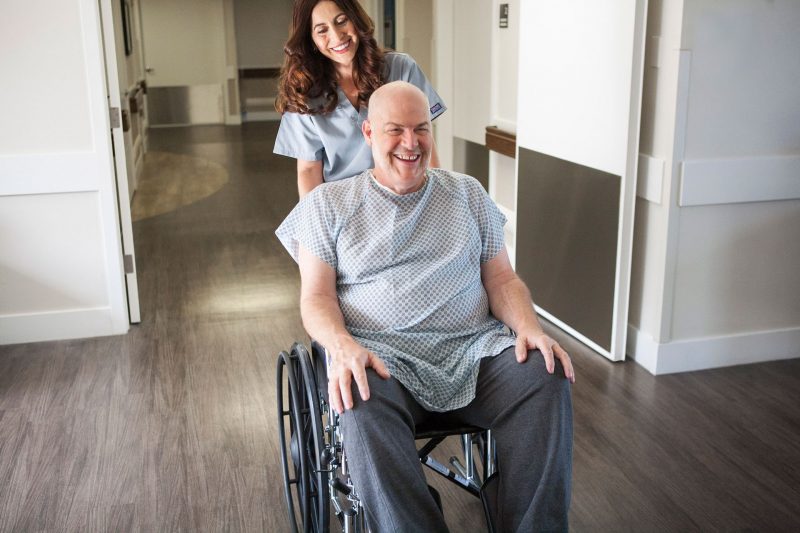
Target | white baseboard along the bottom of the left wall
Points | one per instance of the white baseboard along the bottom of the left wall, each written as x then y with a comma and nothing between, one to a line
59,325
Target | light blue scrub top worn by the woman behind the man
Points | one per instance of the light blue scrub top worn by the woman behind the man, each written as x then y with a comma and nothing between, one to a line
335,138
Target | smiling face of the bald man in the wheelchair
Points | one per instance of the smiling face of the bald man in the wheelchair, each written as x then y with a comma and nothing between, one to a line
399,132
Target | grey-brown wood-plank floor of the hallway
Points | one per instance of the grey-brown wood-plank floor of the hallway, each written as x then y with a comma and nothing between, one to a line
172,427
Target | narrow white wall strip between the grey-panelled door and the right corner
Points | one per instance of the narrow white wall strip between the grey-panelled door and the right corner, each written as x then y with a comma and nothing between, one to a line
655,227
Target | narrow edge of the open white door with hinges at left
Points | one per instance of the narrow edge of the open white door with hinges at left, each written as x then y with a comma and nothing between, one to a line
120,164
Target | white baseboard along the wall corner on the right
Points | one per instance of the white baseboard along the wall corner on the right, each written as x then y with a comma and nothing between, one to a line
699,354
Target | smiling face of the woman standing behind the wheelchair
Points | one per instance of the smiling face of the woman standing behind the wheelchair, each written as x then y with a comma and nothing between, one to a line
334,34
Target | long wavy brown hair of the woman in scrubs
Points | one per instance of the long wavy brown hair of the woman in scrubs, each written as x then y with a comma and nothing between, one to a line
307,74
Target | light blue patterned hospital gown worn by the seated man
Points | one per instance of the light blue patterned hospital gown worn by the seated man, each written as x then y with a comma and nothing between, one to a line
408,275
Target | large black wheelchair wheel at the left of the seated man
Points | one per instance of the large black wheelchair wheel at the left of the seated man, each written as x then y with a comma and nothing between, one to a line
305,478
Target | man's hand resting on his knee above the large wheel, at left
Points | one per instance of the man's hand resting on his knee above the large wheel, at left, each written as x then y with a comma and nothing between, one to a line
349,361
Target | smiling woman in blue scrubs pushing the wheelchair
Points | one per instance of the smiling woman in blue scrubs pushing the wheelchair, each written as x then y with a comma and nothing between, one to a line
332,66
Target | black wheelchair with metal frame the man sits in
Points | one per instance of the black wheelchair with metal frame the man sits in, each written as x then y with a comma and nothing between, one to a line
317,486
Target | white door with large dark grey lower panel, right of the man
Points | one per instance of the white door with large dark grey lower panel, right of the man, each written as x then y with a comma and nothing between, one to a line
580,72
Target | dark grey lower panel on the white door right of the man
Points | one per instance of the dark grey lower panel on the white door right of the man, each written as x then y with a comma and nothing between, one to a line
567,221
